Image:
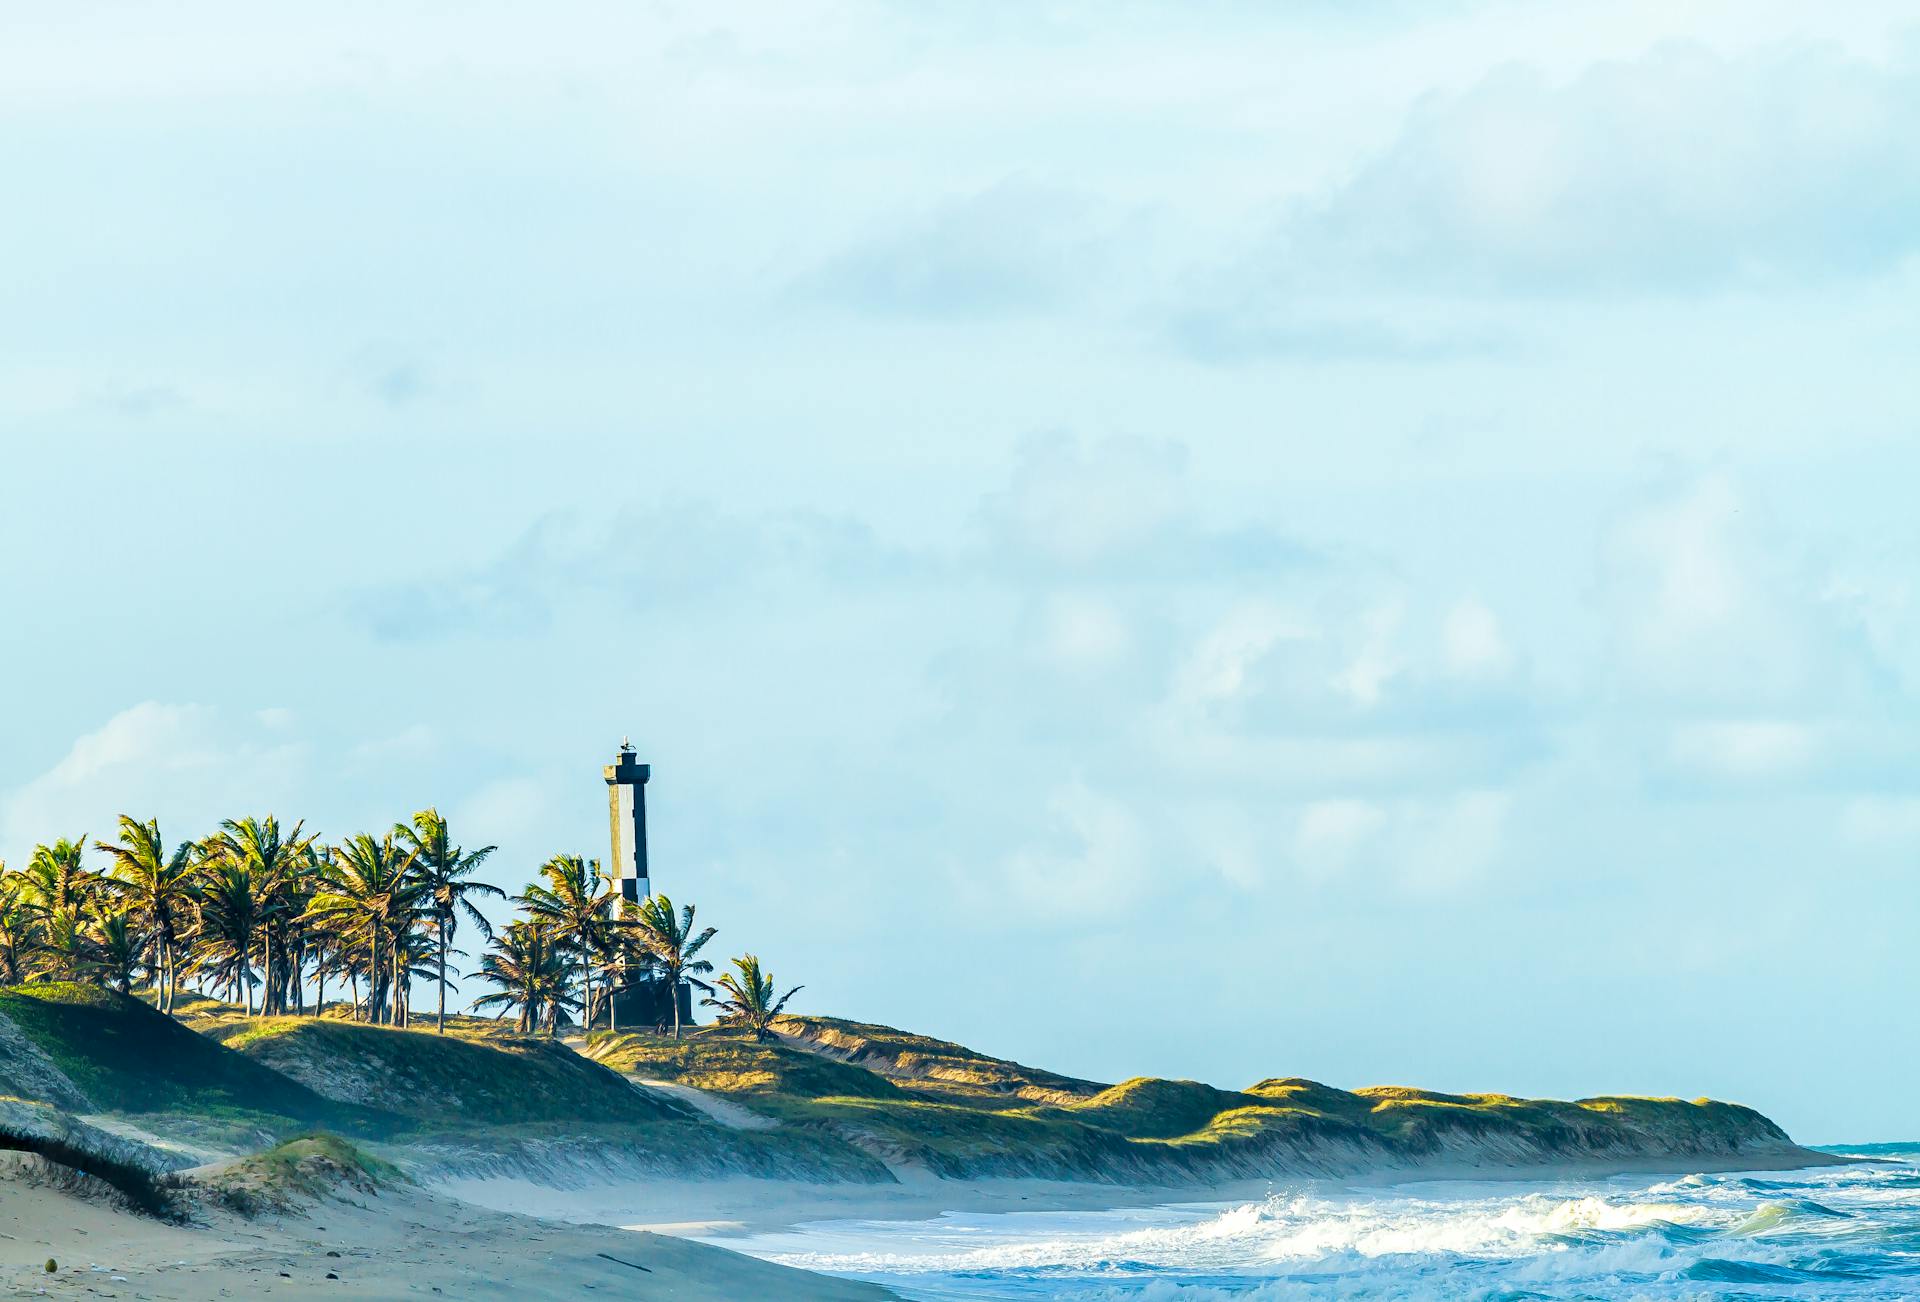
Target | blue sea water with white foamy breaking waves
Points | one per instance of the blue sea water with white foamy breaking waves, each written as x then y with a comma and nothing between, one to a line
1844,1232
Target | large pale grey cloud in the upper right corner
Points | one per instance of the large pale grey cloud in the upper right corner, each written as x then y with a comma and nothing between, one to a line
1675,172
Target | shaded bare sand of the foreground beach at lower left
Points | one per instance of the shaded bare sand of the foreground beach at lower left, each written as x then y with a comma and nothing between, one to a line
400,1243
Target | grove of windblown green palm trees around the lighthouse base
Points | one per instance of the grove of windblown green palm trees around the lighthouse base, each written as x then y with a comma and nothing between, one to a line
256,915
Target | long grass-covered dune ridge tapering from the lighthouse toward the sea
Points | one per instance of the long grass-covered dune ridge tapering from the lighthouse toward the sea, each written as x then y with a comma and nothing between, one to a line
946,1109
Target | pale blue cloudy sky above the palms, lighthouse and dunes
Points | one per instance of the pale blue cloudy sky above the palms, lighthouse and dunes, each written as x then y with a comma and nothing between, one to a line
1216,541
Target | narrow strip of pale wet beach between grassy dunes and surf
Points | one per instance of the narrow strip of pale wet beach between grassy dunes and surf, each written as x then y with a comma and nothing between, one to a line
740,1207
